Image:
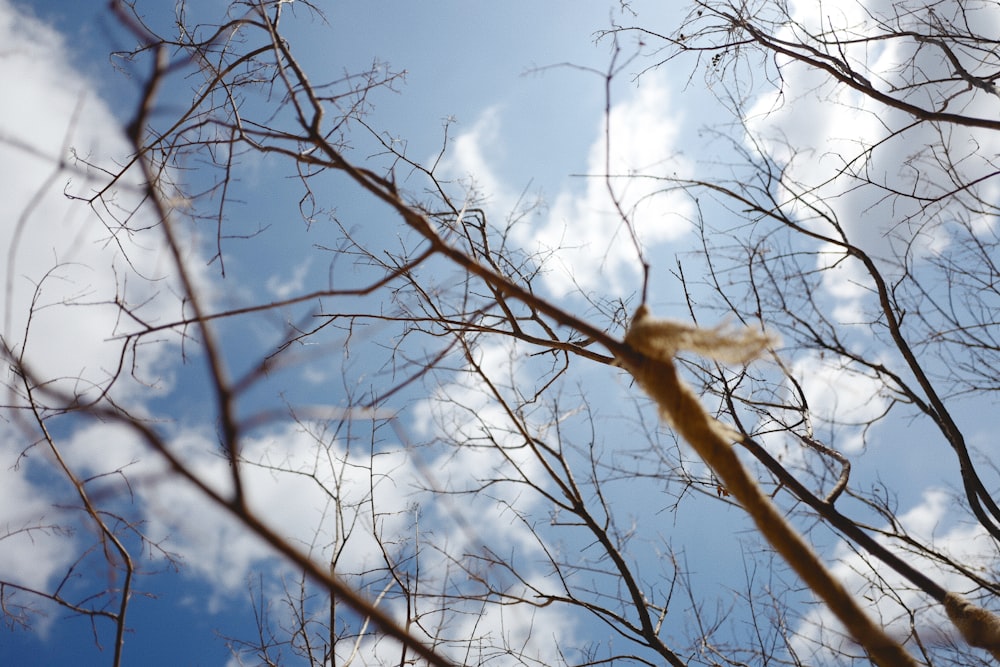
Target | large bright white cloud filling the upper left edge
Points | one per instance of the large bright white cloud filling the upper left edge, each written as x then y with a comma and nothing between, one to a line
65,264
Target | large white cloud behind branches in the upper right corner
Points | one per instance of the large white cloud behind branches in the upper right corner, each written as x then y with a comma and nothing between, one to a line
846,154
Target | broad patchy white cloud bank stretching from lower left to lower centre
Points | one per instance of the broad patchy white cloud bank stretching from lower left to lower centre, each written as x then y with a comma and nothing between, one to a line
321,495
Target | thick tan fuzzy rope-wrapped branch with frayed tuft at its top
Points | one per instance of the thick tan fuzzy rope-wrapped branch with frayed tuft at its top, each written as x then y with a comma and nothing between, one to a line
656,341
